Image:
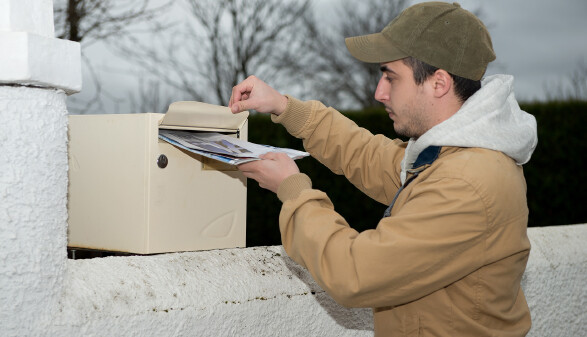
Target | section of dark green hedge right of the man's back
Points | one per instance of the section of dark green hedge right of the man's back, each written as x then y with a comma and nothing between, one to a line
555,175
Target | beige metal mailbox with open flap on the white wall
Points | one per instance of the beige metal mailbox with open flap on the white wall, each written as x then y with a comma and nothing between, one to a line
129,191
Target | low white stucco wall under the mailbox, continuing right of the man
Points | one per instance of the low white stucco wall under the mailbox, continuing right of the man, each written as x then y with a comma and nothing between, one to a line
259,291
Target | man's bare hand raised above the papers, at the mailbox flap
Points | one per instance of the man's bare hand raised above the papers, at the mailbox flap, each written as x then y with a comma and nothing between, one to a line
254,94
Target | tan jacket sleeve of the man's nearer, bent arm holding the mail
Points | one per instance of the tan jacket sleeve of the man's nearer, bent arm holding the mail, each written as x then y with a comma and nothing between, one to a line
422,248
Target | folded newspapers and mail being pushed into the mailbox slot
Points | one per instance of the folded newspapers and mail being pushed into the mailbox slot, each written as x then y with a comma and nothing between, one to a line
222,147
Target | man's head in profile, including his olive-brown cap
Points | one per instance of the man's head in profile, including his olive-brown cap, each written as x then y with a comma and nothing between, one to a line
432,57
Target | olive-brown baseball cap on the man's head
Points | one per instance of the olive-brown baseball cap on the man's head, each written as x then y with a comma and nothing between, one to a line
441,34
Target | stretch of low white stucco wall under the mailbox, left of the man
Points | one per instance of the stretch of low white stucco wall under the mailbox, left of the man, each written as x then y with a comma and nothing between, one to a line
234,292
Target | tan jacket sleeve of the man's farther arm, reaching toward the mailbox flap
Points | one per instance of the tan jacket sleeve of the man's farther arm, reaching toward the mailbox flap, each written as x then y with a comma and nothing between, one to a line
371,163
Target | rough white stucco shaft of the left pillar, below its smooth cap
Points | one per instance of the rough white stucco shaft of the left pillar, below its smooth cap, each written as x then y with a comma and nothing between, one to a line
33,191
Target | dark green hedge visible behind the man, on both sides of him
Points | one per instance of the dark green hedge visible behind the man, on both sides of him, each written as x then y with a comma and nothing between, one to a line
555,176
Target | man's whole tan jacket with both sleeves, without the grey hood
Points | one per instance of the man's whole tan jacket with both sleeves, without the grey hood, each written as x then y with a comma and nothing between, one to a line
449,259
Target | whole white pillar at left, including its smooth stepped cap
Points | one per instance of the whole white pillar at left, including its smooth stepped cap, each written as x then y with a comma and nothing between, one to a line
36,73
